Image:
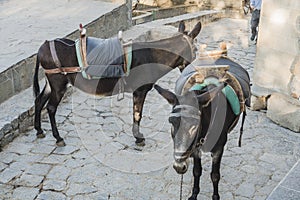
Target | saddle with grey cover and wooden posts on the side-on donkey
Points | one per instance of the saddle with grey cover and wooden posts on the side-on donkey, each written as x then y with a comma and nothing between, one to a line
103,58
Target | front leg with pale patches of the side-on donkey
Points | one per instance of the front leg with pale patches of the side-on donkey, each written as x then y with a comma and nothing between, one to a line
139,96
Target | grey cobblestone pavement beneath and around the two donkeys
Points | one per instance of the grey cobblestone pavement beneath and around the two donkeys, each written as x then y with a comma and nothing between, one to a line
101,161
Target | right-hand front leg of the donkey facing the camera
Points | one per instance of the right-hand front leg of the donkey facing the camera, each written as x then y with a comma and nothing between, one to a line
215,173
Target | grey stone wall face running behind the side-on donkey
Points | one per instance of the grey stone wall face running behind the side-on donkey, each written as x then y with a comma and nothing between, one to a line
19,76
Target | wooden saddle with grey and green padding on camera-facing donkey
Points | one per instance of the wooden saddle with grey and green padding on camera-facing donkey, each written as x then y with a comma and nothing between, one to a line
212,69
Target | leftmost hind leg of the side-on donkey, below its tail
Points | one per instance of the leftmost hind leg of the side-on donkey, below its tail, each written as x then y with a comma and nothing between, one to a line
39,103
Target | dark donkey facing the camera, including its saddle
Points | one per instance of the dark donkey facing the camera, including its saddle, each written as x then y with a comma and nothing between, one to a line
206,107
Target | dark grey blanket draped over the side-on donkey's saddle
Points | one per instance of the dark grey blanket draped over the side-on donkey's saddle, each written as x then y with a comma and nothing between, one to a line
105,57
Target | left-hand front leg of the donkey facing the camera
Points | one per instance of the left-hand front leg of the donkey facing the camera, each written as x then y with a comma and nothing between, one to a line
197,172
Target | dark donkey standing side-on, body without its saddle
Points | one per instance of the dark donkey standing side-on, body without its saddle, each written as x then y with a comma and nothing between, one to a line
150,61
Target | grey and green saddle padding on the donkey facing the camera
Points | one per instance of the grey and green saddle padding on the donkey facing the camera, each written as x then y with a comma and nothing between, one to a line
235,69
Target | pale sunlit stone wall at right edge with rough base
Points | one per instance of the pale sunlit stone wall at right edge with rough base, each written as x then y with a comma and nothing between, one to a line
277,64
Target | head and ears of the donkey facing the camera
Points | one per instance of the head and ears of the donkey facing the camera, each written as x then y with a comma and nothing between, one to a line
186,121
